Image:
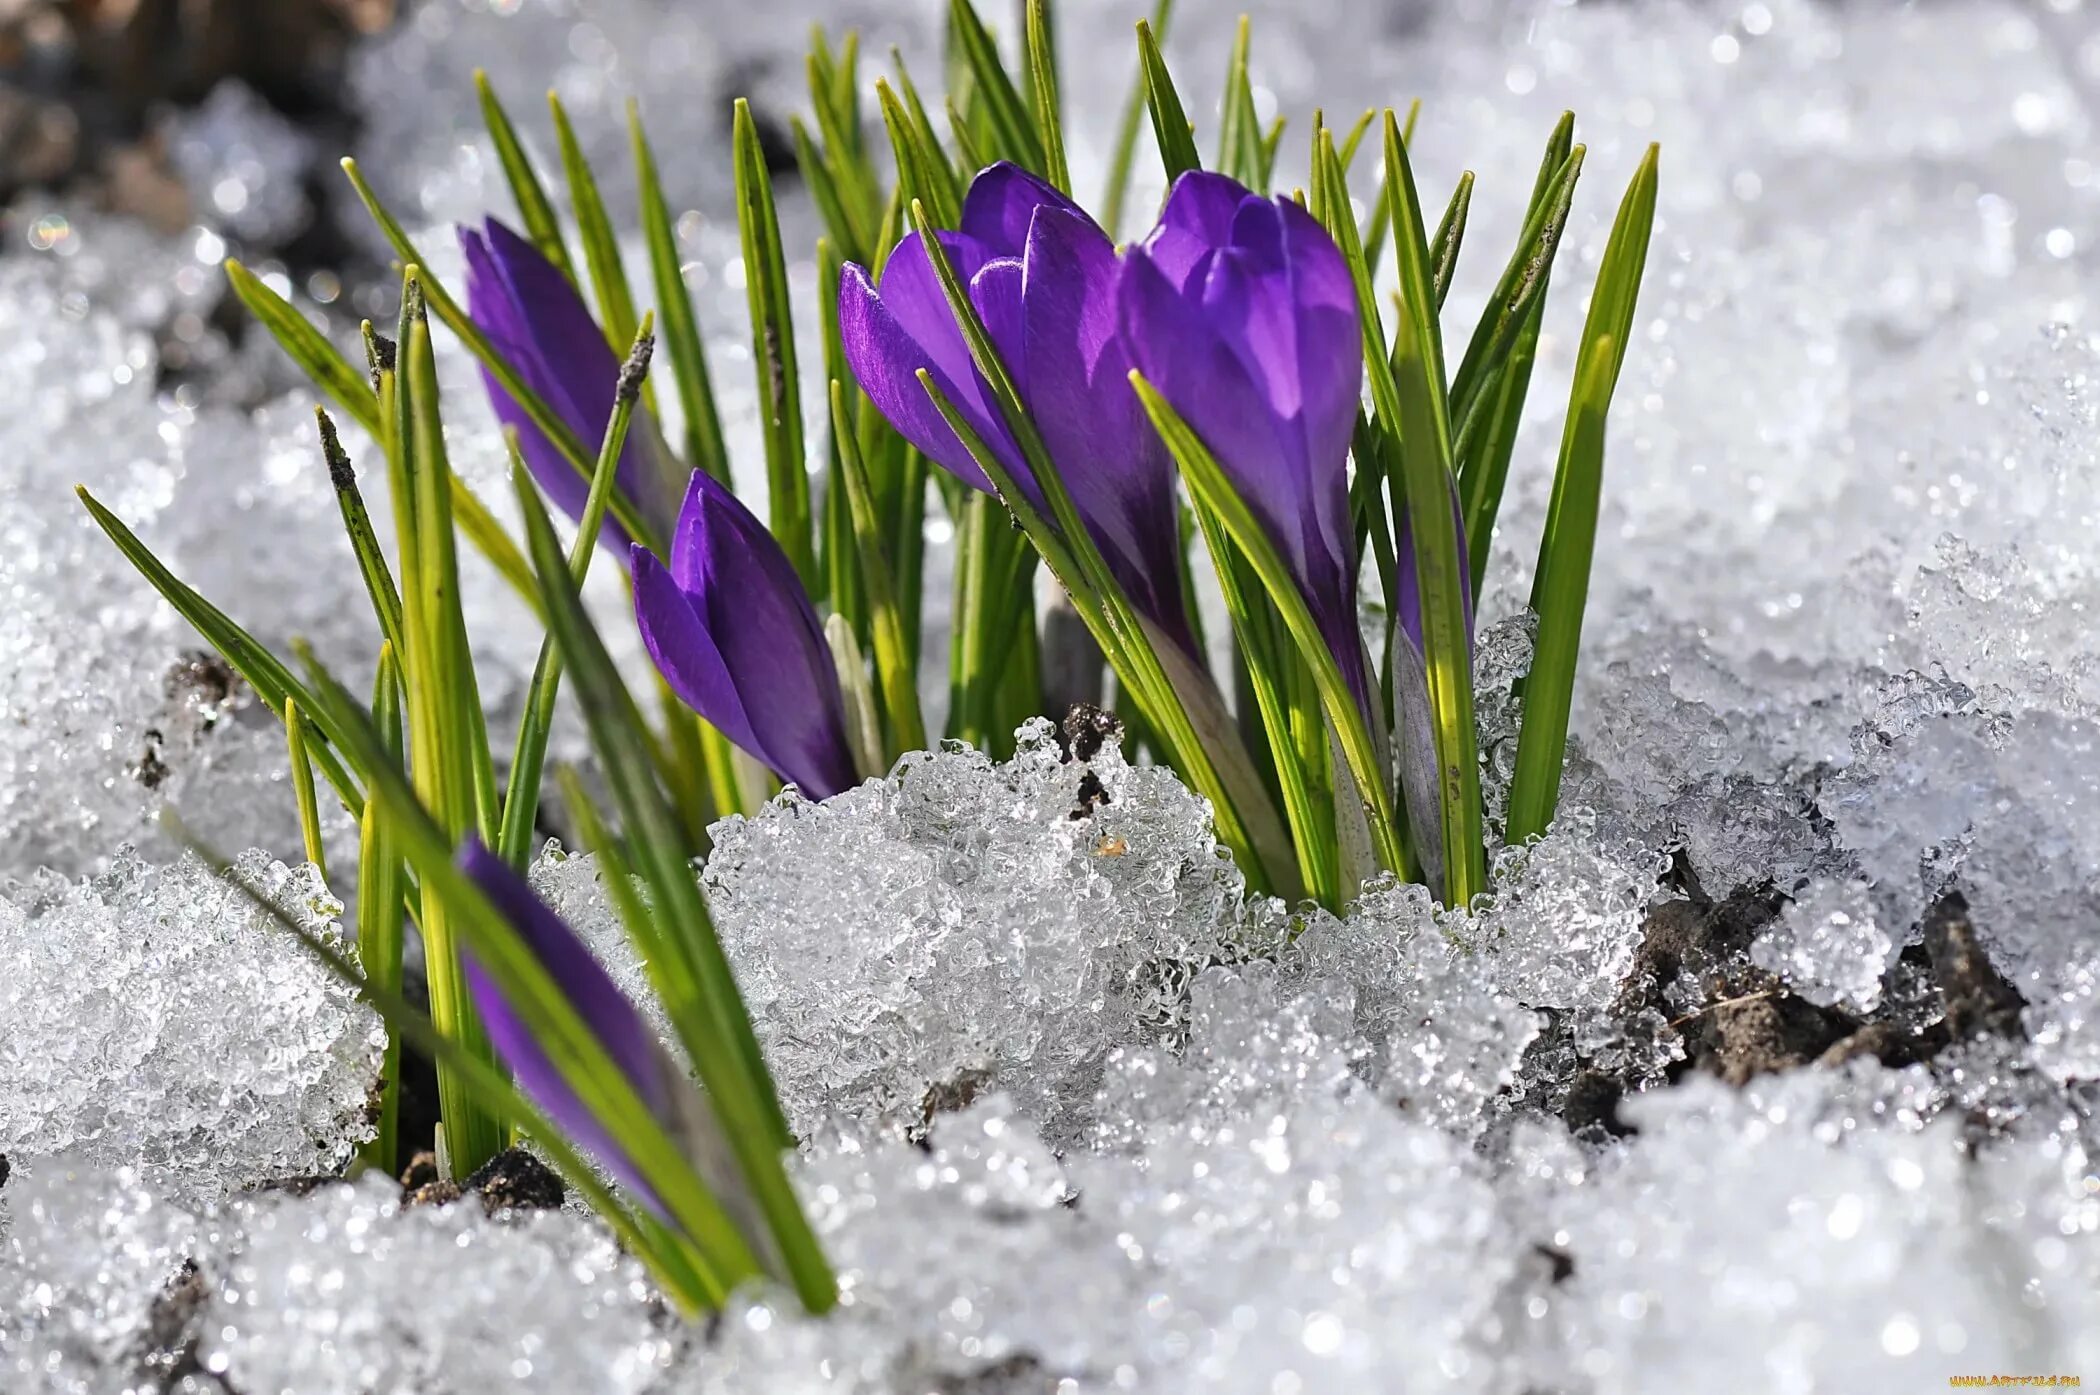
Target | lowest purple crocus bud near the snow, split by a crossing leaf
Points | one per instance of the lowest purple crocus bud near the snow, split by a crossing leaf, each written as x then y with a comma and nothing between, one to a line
591,993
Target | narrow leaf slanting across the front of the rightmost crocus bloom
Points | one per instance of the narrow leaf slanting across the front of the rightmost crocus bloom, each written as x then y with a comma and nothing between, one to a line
1215,493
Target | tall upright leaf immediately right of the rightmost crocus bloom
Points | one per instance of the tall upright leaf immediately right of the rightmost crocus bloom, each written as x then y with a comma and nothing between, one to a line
1427,482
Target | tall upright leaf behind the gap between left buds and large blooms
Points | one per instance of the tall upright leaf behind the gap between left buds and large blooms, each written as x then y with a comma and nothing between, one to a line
780,394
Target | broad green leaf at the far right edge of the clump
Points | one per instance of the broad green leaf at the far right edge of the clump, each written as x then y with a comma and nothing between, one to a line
1563,579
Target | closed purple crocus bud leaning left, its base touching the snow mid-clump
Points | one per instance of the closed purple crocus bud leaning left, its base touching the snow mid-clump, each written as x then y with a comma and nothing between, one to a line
734,633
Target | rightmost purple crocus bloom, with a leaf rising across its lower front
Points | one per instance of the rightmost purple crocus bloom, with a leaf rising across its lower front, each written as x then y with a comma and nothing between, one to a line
1242,312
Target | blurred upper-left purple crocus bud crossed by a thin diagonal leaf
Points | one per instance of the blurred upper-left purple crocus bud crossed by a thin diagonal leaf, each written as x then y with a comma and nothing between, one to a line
541,325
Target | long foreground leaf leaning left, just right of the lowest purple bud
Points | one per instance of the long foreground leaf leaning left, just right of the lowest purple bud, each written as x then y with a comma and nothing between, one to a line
690,970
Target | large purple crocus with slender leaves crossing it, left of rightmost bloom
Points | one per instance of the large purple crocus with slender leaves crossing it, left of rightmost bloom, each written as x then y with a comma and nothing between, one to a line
1043,276
